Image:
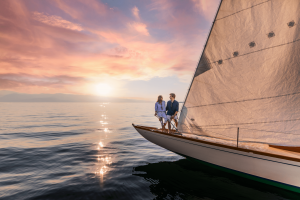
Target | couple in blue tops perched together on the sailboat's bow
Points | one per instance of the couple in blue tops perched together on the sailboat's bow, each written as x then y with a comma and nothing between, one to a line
171,108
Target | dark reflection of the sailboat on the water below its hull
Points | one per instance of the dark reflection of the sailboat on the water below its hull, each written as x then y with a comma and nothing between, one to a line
187,179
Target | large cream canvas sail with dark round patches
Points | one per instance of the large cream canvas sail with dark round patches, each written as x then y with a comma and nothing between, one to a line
248,76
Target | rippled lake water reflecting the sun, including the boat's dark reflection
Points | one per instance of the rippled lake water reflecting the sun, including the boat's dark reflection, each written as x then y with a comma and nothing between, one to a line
91,151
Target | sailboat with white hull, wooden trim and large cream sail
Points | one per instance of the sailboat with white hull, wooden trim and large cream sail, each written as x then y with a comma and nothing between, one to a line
245,90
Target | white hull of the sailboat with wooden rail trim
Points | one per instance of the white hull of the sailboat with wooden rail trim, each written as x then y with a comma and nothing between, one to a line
270,169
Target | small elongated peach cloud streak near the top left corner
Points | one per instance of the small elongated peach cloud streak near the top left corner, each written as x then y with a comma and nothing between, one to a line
56,21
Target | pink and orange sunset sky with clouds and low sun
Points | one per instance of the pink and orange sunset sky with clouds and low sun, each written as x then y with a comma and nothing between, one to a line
120,48
